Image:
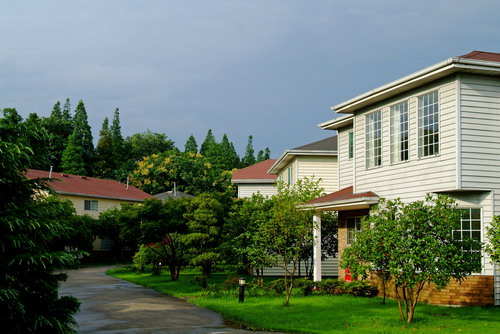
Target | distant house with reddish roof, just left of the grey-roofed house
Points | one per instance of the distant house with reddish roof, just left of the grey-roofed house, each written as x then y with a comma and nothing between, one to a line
255,179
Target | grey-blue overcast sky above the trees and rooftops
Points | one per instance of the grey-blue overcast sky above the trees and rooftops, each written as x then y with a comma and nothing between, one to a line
267,68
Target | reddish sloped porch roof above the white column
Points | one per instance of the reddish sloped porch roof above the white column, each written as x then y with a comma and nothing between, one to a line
344,199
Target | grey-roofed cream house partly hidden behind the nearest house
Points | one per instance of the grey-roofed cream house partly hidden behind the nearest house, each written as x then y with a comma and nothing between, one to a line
318,159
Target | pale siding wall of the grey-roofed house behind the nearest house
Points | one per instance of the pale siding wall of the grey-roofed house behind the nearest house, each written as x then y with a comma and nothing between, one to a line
321,167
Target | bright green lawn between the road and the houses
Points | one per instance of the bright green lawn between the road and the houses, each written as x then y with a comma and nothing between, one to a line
325,314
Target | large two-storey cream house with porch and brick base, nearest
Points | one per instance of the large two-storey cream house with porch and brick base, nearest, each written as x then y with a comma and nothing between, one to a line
433,131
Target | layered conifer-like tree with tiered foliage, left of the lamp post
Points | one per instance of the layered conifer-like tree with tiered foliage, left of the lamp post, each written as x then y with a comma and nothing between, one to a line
205,218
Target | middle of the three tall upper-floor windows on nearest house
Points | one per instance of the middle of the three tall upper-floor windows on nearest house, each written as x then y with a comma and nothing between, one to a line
399,132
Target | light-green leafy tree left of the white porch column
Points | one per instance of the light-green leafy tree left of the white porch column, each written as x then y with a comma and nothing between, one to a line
289,231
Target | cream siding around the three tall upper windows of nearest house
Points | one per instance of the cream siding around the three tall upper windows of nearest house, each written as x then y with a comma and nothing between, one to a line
410,180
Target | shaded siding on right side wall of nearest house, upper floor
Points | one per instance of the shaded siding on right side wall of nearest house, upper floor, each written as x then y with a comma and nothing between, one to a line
480,132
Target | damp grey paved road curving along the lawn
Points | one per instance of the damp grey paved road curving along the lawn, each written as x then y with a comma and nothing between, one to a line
110,305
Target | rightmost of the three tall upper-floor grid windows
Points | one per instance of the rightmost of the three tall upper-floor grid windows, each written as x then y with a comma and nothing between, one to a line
428,125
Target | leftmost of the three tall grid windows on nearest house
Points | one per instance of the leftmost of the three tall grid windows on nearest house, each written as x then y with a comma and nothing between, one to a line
373,139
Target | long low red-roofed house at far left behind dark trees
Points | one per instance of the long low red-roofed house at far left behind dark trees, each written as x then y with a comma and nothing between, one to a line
90,195
